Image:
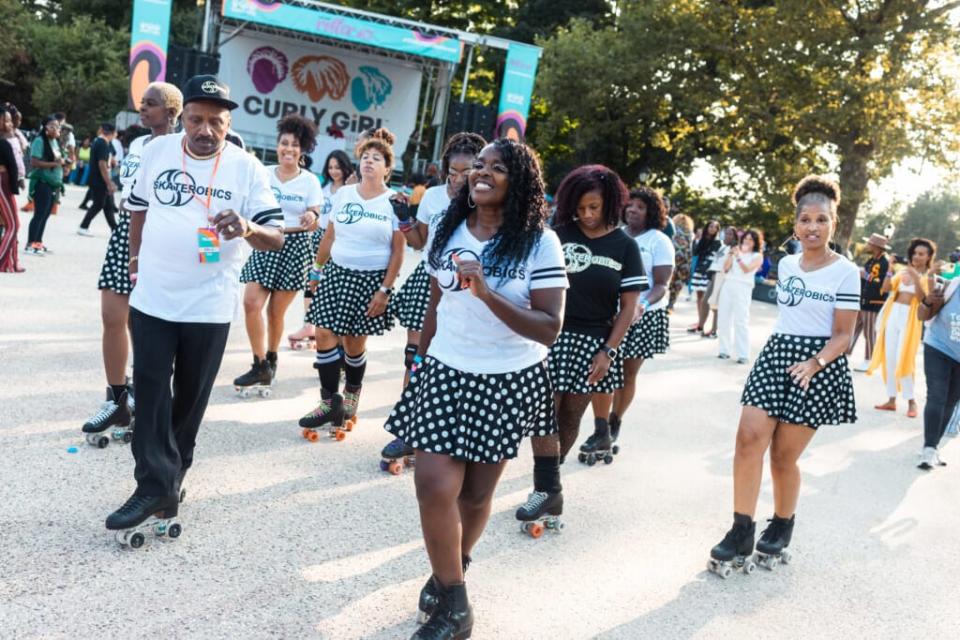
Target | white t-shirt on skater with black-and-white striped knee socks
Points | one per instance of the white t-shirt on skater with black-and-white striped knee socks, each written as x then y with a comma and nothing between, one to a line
363,230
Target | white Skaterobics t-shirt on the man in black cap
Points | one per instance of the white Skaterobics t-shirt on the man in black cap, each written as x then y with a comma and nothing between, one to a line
173,188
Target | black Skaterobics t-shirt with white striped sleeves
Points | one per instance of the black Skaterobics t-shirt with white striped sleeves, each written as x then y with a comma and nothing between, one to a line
599,269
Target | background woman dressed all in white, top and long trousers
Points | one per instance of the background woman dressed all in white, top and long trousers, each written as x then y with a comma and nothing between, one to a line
733,309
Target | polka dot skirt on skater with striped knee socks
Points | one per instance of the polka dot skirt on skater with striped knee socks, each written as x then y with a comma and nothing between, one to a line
340,302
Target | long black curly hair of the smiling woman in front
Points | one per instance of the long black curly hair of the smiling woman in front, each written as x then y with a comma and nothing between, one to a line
524,211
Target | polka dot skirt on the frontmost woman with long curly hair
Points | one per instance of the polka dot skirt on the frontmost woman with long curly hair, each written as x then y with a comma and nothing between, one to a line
473,417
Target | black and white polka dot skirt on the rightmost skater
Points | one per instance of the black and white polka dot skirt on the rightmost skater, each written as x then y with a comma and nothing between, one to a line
829,398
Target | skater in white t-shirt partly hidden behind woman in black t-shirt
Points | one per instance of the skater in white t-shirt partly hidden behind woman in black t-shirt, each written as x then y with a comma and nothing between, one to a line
645,215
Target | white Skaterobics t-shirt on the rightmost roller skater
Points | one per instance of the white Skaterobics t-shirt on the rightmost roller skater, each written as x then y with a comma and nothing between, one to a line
806,301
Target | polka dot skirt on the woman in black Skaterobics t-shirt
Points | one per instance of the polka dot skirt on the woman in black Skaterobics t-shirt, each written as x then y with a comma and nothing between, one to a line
569,365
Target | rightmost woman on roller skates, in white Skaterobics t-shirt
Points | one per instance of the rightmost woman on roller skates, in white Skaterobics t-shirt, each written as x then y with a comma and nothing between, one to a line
801,379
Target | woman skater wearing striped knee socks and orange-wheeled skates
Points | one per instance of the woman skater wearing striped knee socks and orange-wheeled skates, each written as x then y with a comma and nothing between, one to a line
360,257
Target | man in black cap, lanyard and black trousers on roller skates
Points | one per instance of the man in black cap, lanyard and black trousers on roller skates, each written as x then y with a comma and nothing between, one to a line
195,200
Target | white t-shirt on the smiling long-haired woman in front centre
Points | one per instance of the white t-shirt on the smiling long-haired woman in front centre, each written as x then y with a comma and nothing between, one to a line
469,336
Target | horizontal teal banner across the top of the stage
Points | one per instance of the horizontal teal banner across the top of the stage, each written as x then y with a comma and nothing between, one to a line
331,25
